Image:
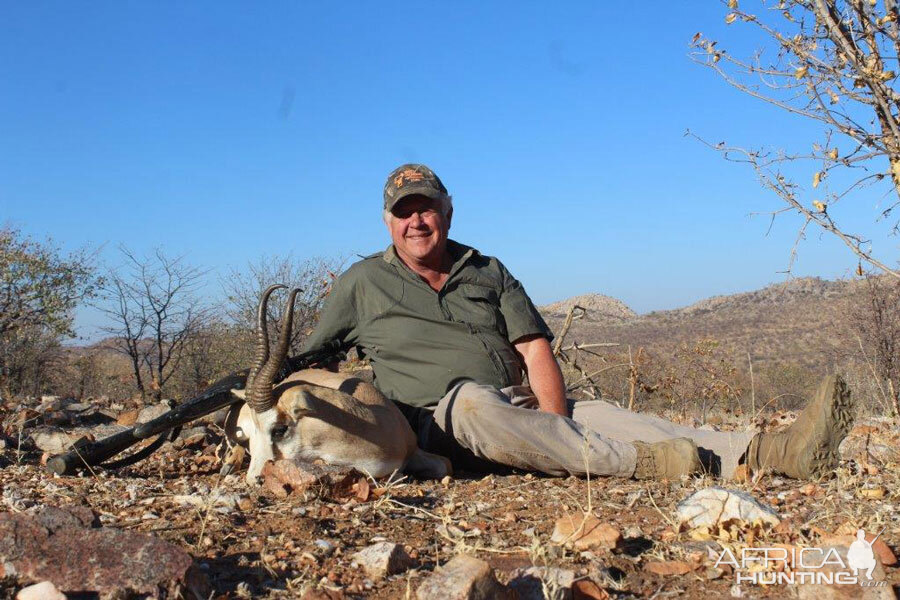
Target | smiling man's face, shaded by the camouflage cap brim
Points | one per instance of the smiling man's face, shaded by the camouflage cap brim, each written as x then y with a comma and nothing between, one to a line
419,229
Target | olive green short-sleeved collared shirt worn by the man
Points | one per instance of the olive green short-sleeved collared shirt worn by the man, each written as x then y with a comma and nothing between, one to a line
421,342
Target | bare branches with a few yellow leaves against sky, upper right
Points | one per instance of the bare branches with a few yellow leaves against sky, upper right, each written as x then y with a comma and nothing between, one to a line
830,66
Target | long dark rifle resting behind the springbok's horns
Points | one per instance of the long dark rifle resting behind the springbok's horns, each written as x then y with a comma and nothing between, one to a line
89,454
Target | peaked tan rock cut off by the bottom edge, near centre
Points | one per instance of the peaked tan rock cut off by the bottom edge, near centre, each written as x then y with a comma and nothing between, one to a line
463,578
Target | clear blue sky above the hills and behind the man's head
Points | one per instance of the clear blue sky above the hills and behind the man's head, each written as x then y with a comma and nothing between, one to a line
226,131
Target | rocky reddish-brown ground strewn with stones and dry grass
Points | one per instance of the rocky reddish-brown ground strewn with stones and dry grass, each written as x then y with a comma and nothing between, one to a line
171,525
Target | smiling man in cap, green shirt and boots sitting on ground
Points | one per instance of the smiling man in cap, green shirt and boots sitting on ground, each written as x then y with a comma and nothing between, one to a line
450,333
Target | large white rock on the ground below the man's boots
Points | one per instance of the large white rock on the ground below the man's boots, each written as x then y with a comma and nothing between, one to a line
714,505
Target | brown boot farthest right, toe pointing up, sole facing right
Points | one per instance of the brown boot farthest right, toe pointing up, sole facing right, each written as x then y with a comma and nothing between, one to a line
808,449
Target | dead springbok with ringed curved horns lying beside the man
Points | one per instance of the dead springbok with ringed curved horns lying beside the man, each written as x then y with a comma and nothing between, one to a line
319,414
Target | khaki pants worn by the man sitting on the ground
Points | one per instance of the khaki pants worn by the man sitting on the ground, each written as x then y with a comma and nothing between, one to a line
477,426
